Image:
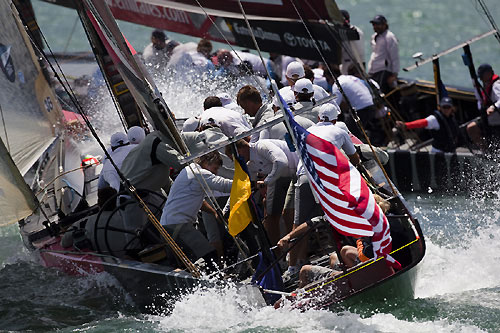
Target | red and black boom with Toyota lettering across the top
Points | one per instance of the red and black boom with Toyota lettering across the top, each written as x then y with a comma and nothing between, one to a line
276,23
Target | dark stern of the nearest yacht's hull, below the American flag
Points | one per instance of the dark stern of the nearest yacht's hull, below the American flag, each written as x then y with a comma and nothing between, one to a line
368,281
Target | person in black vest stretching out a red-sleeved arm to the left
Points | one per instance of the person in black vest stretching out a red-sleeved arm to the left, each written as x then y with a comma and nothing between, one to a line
443,126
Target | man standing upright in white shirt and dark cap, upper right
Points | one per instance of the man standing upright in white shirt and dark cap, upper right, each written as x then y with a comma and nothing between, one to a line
383,66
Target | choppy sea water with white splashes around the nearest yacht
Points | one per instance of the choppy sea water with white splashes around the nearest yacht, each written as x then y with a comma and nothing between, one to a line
457,286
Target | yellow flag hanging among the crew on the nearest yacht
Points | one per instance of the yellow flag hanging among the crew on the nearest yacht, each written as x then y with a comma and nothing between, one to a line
239,215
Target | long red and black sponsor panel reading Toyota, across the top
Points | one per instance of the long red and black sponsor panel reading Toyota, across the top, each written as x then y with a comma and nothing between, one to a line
289,38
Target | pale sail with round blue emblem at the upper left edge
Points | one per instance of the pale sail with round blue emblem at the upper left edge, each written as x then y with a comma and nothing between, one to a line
28,107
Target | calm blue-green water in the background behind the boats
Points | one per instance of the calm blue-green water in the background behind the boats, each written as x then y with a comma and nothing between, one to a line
427,26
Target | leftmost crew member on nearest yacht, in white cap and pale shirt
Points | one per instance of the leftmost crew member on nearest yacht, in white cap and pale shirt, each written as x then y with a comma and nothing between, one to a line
120,147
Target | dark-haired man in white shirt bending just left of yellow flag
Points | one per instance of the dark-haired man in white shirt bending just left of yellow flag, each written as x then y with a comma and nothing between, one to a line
186,199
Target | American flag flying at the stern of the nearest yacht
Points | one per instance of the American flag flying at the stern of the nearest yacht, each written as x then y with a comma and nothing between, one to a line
346,200
